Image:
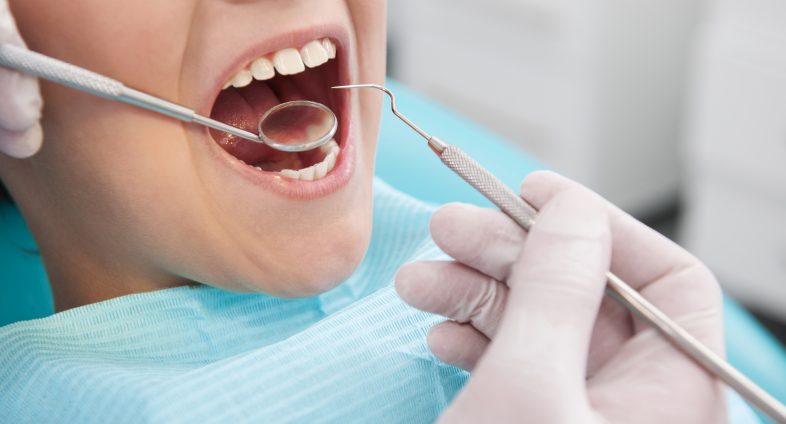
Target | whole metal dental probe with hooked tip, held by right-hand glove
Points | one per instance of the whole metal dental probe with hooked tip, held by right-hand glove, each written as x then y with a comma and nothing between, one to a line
525,214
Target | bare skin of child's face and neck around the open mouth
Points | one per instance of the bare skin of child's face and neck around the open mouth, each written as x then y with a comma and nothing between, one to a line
123,201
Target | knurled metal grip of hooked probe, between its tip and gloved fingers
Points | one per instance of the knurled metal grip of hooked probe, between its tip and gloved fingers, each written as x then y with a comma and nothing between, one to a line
489,186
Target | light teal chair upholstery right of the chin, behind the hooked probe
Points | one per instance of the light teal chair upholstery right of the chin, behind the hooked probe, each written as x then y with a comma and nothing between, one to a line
405,163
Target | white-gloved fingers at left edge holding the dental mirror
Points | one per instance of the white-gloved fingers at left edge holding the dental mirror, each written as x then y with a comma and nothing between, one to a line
20,100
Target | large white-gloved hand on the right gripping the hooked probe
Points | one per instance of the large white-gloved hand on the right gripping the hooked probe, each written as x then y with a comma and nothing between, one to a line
530,321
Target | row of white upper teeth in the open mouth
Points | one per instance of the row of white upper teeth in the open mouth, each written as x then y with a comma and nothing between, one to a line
286,62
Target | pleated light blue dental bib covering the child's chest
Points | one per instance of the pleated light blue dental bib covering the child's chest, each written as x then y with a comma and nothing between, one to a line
200,354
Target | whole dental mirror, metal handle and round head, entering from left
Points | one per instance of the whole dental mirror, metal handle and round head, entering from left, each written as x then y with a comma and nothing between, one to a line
294,126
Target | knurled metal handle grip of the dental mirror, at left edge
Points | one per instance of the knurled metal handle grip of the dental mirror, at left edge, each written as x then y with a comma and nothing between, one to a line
41,66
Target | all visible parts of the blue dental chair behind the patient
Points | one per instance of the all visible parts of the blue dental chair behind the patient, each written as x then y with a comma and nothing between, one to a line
24,291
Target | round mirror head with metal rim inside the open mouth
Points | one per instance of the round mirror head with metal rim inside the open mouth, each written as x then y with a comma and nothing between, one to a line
297,126
